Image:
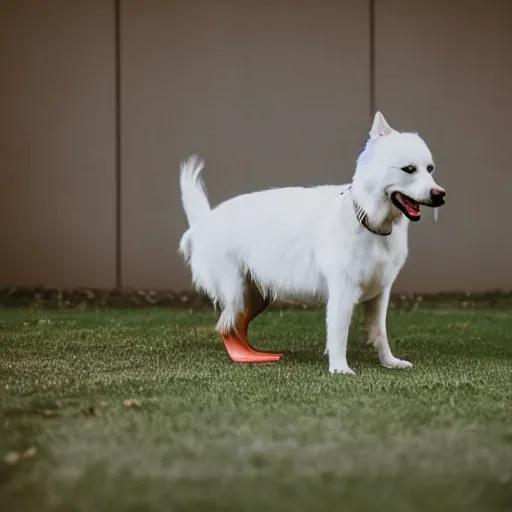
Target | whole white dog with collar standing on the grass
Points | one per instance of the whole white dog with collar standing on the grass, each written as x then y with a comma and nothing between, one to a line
343,244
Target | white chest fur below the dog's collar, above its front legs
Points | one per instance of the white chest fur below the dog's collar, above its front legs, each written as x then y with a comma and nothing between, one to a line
379,262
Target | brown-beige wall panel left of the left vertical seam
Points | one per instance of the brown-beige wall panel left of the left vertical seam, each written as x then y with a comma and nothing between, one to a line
57,134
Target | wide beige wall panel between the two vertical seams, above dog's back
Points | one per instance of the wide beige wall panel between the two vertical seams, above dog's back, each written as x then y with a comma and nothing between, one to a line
240,83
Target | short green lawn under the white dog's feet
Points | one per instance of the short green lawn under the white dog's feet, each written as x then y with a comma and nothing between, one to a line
214,435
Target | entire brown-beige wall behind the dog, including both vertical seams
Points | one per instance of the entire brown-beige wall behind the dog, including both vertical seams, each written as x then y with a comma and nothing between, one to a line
100,100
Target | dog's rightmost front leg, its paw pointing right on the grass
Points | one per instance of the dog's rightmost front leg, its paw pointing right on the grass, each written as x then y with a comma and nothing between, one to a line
375,311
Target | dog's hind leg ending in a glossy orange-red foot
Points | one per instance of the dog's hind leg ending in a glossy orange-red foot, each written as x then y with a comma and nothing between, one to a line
234,328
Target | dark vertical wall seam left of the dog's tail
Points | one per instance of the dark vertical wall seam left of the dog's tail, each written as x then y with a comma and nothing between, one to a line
117,79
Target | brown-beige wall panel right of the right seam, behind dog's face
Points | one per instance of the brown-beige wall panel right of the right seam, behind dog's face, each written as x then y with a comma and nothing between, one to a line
443,68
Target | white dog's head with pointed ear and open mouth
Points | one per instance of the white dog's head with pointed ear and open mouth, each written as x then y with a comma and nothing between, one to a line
399,166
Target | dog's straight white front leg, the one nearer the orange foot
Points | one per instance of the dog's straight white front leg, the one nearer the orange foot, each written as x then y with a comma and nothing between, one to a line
340,307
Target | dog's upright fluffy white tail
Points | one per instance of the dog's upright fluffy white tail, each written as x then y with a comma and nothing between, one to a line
193,191
